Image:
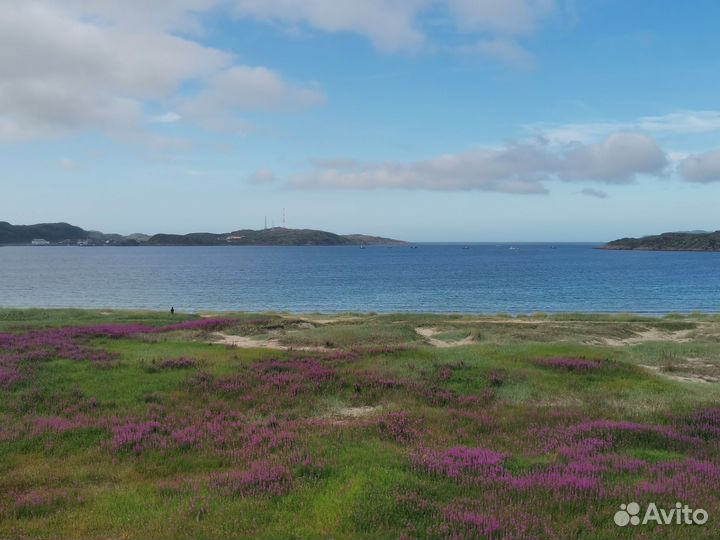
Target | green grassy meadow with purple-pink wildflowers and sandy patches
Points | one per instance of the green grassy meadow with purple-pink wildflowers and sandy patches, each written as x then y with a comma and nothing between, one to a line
144,425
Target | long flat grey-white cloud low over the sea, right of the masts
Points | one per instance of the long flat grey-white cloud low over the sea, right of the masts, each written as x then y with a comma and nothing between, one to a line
518,168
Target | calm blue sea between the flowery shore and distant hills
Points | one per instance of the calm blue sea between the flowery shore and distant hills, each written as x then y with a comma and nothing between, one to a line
518,278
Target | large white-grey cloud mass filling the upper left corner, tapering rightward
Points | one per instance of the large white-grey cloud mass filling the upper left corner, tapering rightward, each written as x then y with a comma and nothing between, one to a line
73,65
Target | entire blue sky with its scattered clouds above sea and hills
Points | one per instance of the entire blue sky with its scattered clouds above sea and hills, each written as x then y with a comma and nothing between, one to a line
459,120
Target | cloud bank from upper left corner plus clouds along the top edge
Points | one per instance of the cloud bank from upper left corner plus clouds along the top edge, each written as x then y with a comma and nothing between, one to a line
68,66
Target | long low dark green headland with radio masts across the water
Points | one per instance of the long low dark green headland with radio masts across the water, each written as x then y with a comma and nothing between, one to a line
45,234
